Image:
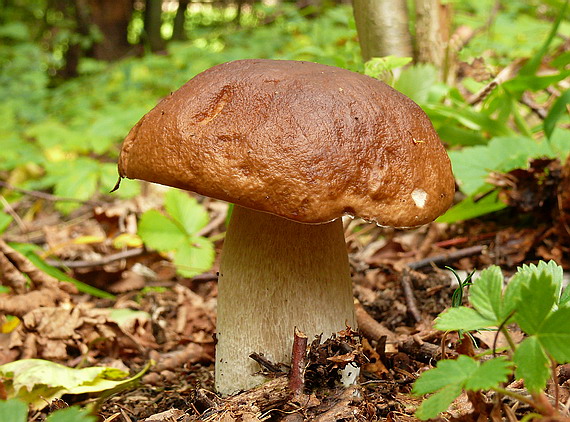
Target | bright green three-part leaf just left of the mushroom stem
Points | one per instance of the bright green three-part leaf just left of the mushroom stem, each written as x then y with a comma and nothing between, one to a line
175,232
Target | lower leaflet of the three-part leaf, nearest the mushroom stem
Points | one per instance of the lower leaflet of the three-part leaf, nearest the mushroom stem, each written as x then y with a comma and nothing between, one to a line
195,257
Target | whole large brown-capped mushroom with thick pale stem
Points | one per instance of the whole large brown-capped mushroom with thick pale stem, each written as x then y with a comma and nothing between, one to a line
295,146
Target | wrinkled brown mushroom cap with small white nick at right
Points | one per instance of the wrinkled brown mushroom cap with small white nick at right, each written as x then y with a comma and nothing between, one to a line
304,141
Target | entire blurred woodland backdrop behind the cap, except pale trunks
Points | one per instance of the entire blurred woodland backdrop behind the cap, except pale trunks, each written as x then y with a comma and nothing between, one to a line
76,75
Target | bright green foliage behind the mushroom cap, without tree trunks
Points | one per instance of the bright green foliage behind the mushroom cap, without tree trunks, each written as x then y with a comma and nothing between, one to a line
64,137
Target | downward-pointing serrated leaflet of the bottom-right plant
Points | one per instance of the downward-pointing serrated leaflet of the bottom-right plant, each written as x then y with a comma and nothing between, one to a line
531,364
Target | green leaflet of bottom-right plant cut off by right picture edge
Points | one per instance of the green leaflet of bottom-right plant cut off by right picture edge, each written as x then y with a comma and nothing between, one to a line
554,334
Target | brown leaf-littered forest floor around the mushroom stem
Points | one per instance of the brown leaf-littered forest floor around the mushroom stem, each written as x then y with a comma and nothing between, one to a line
400,285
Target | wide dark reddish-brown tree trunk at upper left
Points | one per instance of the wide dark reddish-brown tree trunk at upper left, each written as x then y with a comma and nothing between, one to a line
112,18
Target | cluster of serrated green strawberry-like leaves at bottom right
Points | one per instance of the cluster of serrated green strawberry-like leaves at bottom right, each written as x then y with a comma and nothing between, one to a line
534,300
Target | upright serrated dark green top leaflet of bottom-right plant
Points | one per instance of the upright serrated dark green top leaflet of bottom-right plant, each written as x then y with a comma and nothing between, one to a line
537,297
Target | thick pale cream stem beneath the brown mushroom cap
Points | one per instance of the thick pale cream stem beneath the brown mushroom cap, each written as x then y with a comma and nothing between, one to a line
275,275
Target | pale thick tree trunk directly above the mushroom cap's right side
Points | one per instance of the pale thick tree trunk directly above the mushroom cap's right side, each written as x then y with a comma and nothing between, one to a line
382,27
